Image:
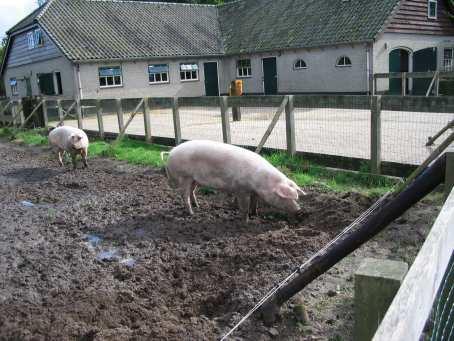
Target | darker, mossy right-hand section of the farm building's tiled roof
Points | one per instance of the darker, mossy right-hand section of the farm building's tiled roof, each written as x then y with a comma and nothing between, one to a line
263,25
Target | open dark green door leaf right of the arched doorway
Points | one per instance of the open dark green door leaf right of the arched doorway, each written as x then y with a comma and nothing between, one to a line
423,61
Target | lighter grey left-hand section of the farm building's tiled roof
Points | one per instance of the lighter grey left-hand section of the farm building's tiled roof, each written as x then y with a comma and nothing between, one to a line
94,29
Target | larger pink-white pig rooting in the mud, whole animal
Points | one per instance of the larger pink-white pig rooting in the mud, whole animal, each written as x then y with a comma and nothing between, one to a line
232,169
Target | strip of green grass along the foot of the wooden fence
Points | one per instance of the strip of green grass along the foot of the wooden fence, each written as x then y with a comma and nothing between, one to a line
304,173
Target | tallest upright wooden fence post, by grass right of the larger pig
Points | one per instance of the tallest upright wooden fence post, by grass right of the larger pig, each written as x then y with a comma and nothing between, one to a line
375,148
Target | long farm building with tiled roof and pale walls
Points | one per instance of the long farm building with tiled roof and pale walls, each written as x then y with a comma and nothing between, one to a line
107,49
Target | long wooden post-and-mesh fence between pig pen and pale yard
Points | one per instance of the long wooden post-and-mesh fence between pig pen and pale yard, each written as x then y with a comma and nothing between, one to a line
389,133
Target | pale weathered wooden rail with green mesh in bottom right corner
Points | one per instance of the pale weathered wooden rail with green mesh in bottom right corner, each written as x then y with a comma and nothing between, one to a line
425,301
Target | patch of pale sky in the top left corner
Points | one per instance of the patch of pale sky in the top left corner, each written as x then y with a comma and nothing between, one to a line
11,11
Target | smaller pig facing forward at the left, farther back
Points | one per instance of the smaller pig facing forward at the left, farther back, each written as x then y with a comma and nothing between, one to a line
71,140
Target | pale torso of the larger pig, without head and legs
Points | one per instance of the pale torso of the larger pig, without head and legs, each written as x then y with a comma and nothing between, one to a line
218,164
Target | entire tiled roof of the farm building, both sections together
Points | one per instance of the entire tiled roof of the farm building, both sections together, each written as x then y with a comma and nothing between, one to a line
114,29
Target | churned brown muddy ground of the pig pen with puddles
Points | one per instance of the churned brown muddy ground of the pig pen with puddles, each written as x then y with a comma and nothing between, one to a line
109,253
